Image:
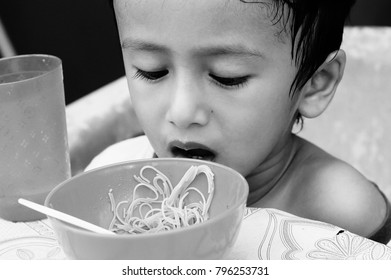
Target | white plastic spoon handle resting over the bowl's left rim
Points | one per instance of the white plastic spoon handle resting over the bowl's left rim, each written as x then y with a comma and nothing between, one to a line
63,217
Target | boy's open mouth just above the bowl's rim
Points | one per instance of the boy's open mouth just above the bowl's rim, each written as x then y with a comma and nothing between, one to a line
192,150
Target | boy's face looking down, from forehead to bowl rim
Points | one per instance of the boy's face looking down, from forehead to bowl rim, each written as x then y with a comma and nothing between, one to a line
208,79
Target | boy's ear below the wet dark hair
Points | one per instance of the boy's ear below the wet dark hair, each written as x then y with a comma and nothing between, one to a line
319,90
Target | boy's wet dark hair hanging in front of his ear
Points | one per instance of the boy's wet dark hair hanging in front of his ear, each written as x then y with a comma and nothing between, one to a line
316,30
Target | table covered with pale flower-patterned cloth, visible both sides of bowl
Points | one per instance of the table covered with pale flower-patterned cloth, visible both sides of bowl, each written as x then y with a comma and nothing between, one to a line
265,234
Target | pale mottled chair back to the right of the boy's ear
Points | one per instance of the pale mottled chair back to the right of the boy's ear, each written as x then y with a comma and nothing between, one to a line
356,126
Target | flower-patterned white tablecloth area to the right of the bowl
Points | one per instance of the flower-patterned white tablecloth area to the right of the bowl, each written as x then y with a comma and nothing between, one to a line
274,234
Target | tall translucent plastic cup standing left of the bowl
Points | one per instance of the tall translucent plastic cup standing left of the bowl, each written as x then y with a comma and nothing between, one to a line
34,155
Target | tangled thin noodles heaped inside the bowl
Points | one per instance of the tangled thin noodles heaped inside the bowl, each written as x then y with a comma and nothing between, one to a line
167,209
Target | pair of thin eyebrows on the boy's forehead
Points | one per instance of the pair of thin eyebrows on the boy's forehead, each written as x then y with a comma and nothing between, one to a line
217,50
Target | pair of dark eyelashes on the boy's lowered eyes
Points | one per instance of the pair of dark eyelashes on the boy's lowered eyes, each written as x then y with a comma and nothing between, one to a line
229,83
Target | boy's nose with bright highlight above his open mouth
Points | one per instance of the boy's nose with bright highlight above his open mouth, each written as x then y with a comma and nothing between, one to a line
188,105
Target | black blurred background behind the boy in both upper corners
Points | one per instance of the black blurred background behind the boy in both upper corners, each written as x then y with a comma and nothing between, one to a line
83,34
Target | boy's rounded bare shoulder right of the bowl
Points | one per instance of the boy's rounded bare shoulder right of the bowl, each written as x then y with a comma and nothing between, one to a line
335,192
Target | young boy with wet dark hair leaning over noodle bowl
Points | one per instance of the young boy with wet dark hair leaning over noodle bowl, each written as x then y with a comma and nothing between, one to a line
226,80
